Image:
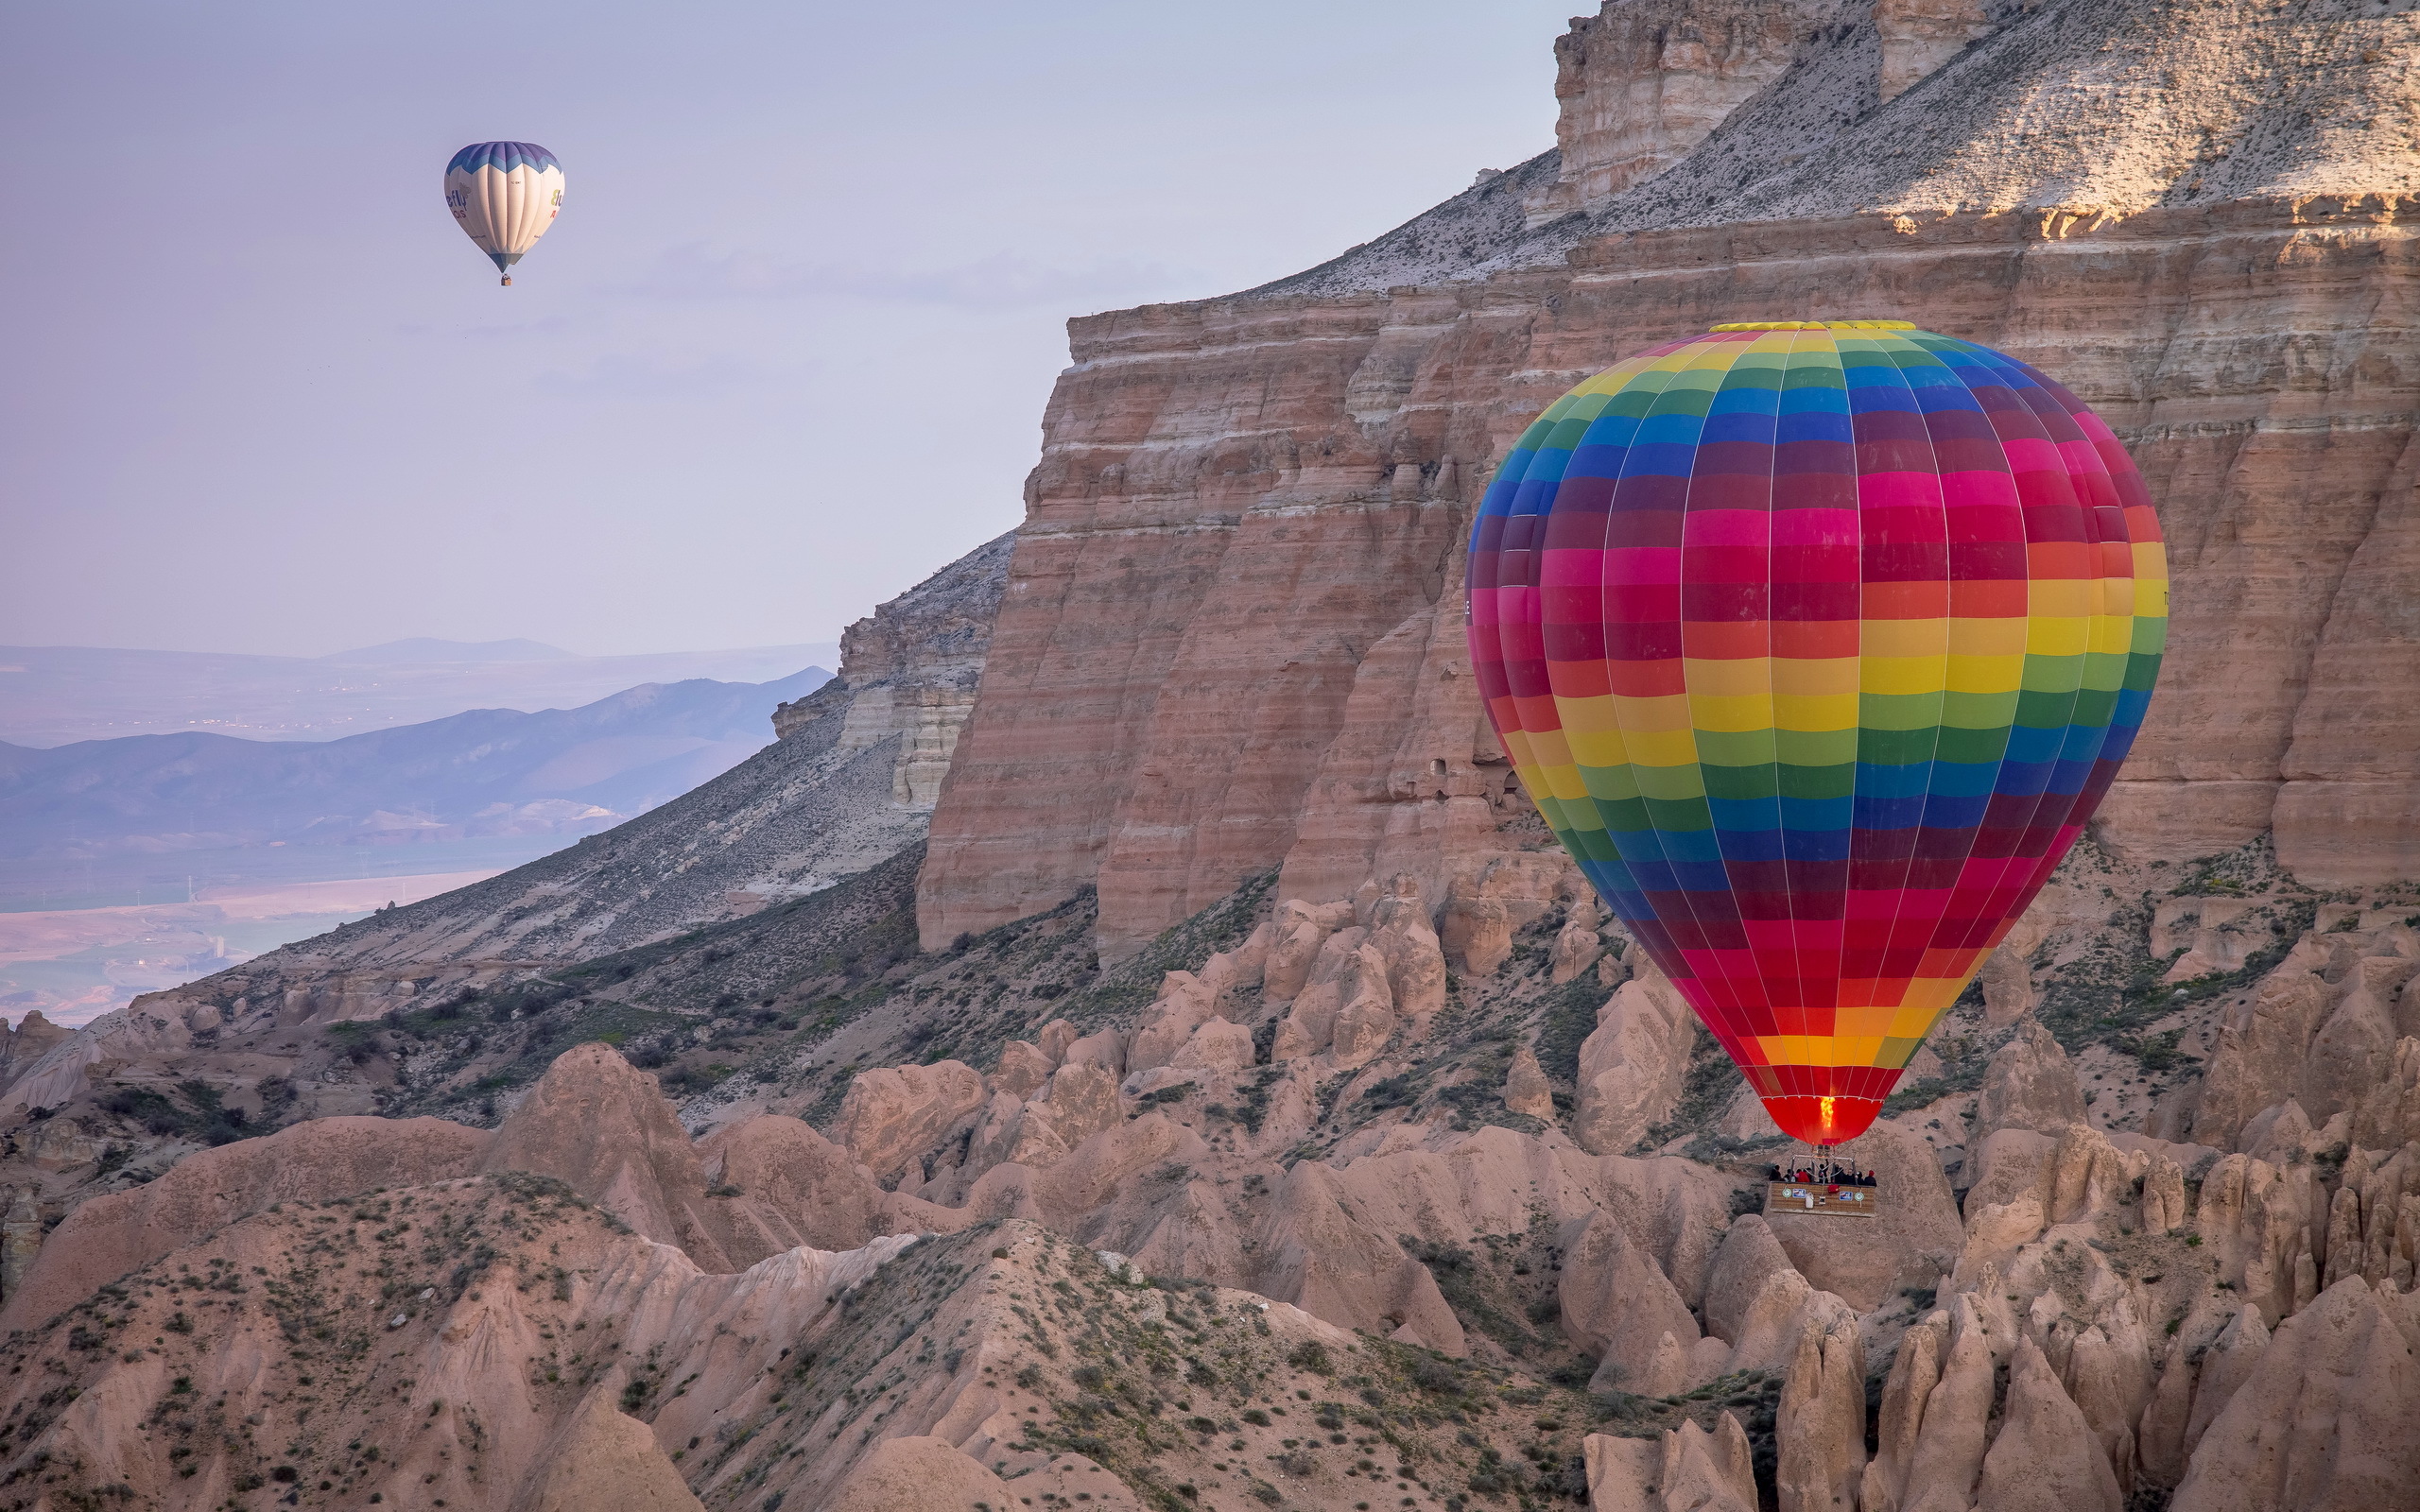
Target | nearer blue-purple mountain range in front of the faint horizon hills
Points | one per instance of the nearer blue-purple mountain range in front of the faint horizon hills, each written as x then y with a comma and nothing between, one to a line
488,773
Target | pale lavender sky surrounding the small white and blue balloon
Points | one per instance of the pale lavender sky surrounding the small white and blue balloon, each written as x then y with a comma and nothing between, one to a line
783,354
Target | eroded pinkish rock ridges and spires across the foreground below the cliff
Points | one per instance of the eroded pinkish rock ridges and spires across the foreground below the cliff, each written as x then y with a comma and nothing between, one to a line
2082,1288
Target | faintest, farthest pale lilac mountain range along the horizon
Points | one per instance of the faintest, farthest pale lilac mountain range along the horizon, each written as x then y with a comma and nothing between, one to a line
54,696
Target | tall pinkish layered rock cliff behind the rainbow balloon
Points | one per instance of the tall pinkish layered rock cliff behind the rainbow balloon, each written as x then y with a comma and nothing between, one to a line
1231,637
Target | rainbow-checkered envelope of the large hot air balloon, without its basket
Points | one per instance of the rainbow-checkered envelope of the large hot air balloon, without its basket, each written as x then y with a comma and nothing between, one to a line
1819,645
